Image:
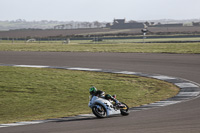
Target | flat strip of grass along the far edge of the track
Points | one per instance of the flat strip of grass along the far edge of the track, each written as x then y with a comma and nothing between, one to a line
193,48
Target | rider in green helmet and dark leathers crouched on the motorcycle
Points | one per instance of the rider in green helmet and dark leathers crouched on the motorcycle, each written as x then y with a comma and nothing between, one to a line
94,92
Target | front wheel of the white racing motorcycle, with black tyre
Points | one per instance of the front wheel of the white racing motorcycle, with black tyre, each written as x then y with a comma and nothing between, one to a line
99,111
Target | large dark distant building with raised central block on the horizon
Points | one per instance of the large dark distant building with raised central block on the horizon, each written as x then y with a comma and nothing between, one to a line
122,24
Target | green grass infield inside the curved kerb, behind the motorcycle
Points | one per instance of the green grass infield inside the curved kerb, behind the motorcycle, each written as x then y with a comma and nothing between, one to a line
34,93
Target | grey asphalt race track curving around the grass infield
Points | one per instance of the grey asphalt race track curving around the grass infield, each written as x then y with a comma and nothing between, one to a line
178,118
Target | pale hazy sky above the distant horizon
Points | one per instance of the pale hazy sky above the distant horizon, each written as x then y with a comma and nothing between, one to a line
100,10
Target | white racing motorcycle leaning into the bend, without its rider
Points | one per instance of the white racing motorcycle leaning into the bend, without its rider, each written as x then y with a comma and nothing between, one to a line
102,107
